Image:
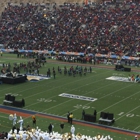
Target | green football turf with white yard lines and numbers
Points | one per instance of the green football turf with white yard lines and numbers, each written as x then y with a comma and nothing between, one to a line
120,98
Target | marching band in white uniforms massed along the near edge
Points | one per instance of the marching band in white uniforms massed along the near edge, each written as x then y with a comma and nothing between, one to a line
37,134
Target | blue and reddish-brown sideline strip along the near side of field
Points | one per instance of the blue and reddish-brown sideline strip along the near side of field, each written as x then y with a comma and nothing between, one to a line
27,113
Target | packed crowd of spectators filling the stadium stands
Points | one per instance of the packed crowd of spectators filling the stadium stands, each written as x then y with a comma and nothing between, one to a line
99,28
